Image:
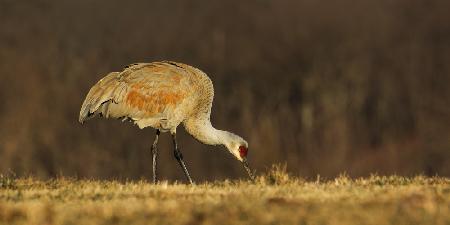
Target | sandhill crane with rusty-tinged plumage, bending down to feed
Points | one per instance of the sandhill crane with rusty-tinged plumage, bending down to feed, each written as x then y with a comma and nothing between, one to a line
163,95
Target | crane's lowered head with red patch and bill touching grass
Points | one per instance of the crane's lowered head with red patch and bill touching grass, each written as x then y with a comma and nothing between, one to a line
239,148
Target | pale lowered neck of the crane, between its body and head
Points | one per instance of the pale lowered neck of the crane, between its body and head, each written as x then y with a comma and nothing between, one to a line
202,130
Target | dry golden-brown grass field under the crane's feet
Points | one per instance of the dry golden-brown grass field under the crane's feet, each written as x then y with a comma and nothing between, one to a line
275,198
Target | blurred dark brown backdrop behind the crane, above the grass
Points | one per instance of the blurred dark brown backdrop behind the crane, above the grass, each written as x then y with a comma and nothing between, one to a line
324,86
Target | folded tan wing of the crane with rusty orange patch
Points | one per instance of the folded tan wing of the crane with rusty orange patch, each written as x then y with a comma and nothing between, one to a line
141,91
